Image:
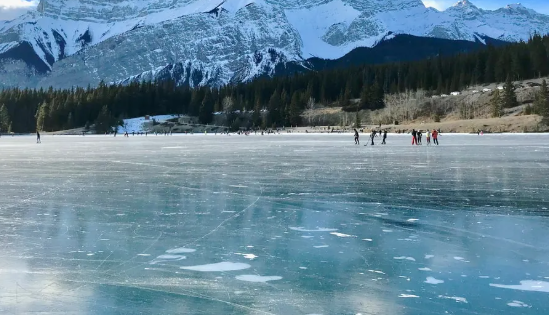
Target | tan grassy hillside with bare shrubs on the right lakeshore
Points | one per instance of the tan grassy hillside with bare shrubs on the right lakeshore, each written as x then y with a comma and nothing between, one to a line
468,111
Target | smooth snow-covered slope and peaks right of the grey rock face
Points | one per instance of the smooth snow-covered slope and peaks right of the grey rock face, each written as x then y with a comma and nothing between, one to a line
327,35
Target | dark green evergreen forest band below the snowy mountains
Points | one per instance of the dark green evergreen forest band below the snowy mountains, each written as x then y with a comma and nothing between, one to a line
283,98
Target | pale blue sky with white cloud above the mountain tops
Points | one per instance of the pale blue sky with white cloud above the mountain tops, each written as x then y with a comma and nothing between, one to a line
10,9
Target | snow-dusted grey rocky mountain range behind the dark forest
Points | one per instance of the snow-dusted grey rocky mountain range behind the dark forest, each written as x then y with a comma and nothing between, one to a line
79,42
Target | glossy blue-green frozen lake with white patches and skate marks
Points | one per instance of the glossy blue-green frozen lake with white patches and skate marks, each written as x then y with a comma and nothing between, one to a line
279,224
